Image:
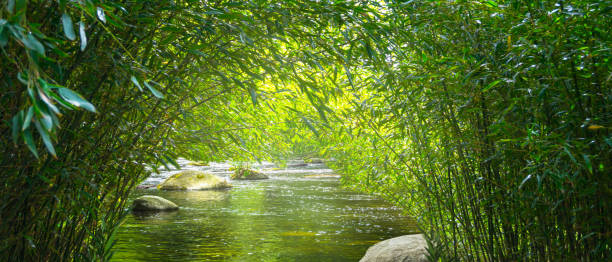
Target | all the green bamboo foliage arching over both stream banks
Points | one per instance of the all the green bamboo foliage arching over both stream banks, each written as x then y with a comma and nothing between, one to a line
489,121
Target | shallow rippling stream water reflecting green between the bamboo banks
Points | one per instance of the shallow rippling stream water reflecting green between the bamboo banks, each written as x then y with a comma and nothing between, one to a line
292,216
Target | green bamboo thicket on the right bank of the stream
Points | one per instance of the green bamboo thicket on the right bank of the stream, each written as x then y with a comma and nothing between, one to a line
491,124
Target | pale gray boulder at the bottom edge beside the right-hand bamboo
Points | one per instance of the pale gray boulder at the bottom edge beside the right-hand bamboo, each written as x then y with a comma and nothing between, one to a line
408,248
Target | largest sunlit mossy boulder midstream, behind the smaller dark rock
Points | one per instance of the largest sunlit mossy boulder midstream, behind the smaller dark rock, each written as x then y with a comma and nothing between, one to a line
193,180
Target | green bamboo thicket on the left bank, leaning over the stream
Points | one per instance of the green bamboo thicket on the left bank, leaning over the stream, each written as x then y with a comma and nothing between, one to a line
156,79
